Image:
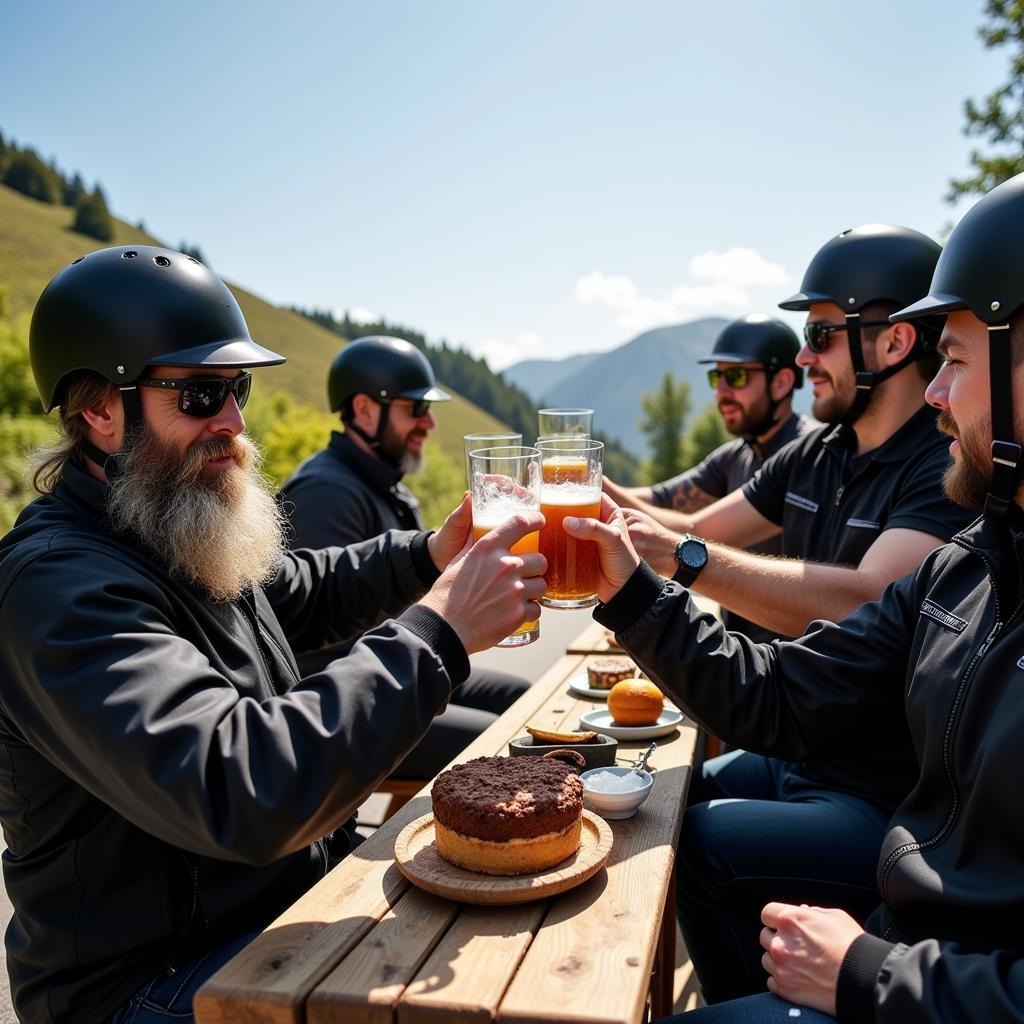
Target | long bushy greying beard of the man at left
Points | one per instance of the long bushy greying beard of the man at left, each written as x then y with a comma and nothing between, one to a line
224,537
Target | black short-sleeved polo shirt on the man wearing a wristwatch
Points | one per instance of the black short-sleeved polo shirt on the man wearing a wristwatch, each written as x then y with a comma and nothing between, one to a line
833,503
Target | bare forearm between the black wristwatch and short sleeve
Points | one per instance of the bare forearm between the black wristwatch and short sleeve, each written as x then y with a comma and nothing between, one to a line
782,594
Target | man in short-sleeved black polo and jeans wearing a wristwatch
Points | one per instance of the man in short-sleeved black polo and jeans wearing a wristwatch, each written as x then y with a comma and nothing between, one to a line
859,503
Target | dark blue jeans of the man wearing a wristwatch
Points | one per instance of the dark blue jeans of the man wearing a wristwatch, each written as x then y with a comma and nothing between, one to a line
748,840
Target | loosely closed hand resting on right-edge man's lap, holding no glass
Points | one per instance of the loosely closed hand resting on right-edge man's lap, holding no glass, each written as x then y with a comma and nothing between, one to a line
805,951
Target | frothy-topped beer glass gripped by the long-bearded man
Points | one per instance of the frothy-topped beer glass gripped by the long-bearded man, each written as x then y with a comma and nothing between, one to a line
504,482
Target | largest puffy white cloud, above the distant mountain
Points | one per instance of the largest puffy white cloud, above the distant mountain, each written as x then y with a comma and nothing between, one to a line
730,283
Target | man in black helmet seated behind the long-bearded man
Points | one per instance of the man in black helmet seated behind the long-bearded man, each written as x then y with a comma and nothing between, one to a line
353,491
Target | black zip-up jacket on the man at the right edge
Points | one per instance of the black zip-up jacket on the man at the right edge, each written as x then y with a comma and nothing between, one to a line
943,653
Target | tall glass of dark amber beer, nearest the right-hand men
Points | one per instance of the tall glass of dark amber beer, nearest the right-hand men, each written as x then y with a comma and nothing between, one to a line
571,472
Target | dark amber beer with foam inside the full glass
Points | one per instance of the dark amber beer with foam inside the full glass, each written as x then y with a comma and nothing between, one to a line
573,565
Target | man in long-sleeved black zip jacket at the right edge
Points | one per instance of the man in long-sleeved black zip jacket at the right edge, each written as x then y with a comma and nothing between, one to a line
941,655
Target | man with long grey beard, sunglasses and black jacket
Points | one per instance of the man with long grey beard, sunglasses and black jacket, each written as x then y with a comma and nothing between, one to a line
169,782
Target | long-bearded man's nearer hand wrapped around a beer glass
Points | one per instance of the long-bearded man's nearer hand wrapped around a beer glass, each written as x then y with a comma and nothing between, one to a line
487,593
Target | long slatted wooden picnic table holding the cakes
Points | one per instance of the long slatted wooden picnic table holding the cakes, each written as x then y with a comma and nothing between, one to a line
366,946
